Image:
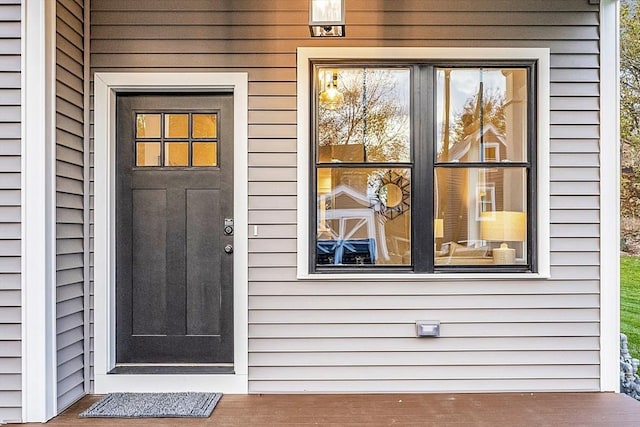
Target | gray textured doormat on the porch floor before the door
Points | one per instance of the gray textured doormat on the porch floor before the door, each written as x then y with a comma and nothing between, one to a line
153,405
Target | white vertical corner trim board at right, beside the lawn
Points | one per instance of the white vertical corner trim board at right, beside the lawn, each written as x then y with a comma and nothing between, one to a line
609,197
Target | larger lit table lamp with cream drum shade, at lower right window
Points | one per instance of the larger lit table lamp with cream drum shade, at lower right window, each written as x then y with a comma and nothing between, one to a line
503,226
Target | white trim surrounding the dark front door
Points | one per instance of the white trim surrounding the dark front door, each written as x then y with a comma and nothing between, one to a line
106,86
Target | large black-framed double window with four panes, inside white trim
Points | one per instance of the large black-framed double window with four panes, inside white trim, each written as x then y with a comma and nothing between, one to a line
423,167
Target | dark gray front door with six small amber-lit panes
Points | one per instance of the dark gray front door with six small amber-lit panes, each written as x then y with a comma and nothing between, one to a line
174,212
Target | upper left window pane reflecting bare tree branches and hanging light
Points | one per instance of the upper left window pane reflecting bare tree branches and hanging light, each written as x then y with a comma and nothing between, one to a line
363,115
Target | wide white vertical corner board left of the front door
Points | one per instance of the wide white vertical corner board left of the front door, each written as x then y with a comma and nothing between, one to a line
38,249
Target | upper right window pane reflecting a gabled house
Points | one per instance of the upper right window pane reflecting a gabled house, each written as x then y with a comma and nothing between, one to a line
481,115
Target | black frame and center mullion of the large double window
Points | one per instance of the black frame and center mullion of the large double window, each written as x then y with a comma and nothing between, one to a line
423,164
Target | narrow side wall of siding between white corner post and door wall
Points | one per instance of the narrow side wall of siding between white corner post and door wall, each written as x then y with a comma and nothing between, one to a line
70,201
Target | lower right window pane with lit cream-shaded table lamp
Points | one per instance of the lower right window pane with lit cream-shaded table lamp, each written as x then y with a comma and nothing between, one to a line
482,216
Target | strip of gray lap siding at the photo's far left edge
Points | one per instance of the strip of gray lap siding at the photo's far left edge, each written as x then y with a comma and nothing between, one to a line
10,227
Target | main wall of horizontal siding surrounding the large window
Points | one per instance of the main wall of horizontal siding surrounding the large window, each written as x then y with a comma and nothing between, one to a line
359,336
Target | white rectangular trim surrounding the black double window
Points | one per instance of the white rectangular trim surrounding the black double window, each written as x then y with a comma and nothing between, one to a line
308,54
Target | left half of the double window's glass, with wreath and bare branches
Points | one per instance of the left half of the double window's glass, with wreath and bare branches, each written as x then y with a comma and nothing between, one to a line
363,212
